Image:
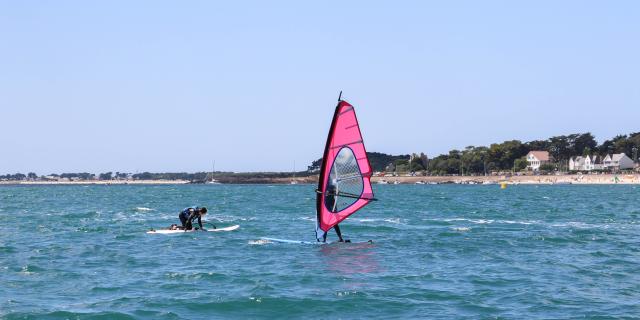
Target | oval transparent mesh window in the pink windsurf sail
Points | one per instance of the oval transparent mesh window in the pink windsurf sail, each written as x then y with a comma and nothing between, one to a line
345,182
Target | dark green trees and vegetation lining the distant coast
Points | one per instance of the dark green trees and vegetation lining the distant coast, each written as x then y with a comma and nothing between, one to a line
472,160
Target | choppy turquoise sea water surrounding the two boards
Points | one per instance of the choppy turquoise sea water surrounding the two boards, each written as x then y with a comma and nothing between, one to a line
440,252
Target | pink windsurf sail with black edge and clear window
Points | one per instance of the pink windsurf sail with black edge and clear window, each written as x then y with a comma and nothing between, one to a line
344,186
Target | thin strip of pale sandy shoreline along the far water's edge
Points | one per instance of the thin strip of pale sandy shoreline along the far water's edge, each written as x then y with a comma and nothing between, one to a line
529,179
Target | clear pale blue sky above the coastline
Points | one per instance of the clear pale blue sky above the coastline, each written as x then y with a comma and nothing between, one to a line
173,85
